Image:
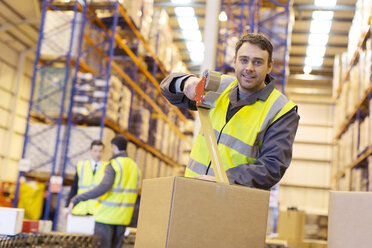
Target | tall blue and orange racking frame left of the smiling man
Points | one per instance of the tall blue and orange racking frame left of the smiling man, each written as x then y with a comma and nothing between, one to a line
74,61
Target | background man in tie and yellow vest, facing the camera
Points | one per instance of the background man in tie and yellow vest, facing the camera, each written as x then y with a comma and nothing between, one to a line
89,173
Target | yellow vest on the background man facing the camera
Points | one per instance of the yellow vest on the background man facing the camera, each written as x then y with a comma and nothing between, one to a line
86,182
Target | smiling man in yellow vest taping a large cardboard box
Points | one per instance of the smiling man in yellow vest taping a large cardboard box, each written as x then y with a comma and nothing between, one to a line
254,123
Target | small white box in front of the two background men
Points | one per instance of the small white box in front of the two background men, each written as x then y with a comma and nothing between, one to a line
80,224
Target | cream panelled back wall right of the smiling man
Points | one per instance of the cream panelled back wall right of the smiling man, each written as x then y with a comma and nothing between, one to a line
307,181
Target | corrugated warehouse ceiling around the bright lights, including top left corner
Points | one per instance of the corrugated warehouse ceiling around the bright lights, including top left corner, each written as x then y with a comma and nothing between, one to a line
19,22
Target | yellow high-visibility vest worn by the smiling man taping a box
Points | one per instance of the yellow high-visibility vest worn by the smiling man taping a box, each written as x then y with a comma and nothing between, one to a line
240,139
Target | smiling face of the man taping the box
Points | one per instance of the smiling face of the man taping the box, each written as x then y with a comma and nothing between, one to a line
251,66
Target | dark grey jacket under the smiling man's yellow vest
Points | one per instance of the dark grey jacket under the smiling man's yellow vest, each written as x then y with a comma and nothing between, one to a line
275,154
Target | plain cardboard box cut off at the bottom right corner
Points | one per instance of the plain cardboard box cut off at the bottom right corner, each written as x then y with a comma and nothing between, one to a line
350,220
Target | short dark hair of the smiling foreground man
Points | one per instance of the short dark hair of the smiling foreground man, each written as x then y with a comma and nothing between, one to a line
258,39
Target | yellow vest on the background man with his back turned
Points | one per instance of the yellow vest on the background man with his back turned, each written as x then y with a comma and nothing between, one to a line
116,206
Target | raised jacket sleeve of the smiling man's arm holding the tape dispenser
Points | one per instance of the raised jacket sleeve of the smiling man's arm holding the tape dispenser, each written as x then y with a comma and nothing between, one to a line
168,89
